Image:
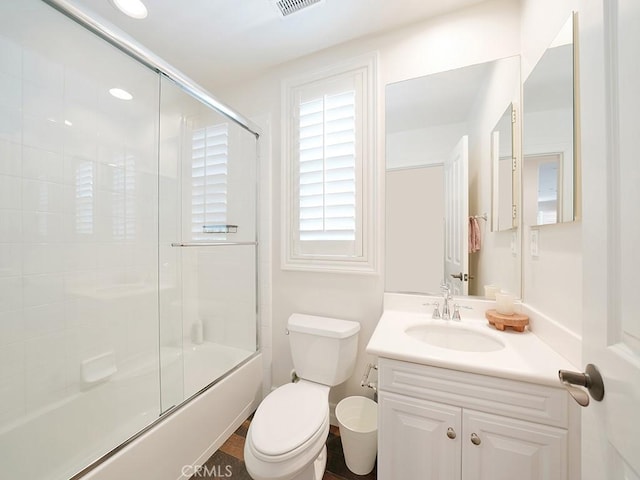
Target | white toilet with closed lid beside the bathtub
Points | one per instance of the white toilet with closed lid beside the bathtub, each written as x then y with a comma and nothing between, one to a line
286,438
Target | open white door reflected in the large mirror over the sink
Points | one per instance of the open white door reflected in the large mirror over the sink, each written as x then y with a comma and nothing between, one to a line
456,218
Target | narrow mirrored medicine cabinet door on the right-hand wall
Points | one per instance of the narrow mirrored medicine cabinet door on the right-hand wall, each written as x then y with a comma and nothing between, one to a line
549,166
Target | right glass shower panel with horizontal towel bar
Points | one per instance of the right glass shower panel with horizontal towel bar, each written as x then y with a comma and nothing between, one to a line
208,245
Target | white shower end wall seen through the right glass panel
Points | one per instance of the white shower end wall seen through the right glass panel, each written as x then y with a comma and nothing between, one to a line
219,283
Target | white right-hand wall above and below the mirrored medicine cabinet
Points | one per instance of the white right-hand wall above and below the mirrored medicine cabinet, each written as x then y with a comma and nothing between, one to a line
552,281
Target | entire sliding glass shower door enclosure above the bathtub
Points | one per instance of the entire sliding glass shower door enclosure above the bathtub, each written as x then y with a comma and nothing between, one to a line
127,245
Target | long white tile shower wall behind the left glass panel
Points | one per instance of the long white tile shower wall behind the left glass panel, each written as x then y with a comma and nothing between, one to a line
78,220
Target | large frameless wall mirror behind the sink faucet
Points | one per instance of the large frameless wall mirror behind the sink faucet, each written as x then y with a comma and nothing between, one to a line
439,180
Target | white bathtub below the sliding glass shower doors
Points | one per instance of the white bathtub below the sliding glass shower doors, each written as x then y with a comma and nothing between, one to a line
168,447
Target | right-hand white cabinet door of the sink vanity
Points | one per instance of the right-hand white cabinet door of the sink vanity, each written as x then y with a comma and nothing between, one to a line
501,448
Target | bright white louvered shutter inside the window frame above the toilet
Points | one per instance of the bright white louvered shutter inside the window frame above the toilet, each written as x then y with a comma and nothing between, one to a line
329,168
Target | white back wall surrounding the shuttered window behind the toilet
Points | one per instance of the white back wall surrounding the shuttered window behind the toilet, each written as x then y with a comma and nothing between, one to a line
478,34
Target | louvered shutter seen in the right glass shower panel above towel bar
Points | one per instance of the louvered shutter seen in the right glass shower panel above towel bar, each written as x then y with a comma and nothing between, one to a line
209,153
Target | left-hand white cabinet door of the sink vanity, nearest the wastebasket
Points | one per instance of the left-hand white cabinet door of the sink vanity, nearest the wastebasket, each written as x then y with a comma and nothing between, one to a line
414,439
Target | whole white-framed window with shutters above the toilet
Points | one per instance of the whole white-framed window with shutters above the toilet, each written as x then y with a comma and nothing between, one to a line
329,170
